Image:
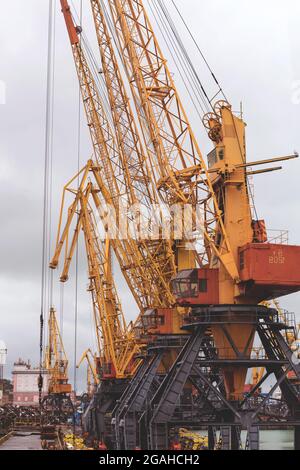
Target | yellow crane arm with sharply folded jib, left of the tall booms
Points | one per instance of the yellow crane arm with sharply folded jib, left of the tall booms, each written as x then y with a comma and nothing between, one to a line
116,343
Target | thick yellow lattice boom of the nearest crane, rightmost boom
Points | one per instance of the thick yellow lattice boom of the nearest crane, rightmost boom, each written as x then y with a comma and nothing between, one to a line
174,148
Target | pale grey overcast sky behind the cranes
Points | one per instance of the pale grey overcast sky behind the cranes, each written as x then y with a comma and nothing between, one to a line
254,49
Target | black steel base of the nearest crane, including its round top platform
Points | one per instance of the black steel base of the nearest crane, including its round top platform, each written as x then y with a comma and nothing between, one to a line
155,407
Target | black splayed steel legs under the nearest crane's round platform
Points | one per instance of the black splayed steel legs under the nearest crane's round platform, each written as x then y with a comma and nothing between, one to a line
167,409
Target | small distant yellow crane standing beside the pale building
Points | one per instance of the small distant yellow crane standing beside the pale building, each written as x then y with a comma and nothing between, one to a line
56,361
